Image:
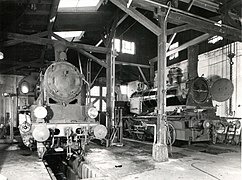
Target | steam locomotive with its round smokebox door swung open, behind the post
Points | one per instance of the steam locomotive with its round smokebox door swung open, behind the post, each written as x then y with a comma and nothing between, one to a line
191,115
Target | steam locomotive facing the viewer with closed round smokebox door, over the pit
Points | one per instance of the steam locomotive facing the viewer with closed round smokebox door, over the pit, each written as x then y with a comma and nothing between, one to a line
58,120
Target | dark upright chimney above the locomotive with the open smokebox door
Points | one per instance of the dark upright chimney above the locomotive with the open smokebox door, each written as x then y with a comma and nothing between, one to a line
193,61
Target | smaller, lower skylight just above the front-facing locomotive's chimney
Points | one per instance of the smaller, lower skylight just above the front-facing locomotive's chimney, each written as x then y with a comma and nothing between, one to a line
70,35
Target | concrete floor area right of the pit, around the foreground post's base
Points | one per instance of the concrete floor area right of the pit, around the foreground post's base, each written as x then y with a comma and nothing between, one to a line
199,162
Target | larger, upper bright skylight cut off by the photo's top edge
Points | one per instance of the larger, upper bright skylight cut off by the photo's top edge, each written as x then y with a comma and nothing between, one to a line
79,5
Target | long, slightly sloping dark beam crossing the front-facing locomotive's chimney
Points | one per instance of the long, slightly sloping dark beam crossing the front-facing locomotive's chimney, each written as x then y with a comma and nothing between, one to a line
44,41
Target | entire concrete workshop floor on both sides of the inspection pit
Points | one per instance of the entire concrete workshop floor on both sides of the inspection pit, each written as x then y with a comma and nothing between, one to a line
134,161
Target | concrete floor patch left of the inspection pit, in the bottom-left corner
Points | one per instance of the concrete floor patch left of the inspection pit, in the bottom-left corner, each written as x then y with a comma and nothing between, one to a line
19,164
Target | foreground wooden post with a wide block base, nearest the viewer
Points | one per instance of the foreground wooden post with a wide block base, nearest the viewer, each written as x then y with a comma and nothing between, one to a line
159,151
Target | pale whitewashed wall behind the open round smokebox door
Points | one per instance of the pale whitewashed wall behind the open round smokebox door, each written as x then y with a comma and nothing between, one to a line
217,63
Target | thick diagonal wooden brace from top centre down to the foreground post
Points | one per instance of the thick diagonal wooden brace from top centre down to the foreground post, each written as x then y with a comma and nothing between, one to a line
137,16
